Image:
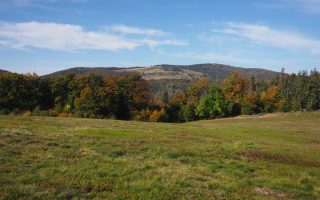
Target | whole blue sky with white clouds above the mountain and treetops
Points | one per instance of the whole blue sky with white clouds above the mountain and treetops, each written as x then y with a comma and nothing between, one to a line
44,36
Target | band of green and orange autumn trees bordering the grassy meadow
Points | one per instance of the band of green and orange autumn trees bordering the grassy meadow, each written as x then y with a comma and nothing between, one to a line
130,97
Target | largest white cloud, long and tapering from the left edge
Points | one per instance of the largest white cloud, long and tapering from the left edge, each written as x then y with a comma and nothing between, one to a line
68,37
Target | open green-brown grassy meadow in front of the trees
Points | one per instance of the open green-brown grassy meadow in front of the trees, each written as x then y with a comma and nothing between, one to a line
268,157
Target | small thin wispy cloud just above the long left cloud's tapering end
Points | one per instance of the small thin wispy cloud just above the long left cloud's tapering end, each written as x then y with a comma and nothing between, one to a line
135,30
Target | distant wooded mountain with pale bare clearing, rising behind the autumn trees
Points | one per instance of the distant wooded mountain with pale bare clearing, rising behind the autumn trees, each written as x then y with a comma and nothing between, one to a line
172,78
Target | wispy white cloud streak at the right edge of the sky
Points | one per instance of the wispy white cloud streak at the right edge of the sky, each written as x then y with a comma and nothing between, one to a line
262,34
